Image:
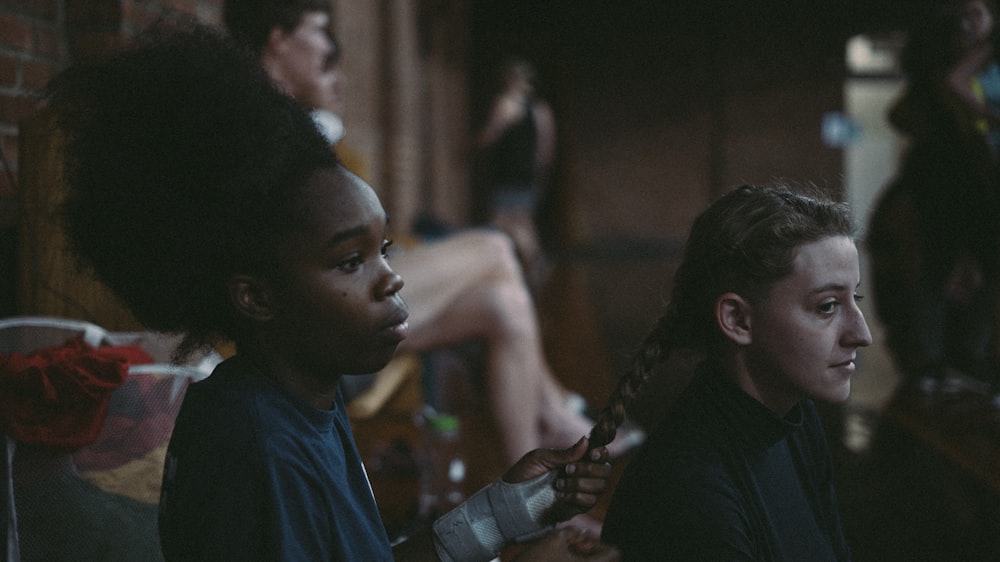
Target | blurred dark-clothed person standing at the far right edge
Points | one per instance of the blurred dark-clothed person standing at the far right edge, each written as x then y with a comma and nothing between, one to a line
933,235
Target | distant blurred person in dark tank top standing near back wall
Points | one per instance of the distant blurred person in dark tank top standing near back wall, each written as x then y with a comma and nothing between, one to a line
517,146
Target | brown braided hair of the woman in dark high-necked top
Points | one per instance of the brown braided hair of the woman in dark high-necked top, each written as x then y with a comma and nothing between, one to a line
743,243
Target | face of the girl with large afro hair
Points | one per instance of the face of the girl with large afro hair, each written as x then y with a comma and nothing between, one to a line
337,300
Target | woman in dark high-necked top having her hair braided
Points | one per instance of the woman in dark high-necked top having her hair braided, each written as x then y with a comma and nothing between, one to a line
739,468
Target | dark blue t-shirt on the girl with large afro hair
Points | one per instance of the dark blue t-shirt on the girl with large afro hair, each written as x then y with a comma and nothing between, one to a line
254,473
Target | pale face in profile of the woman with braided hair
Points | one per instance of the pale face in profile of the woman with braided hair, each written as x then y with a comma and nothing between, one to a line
804,334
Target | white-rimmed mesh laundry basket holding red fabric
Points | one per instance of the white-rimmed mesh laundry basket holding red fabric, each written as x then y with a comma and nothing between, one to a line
97,502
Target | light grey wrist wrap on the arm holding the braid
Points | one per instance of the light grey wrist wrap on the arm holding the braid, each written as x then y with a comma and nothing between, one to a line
479,528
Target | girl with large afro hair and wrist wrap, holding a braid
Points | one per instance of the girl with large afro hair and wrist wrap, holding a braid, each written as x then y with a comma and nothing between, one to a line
208,201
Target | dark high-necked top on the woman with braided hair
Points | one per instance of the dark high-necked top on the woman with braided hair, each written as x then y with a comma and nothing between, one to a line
724,478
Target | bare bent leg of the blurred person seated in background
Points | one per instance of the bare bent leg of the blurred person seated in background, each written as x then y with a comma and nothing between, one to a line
468,287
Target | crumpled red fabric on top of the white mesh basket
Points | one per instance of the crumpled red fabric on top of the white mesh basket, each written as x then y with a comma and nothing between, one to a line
59,396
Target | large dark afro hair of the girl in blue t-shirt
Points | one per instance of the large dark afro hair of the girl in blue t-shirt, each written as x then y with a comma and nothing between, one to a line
182,160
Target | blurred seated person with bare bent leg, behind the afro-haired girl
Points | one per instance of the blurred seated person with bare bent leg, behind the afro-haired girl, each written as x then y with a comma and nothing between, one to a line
466,287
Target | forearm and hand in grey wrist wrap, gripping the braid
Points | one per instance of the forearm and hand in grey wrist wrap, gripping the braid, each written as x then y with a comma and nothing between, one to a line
545,487
